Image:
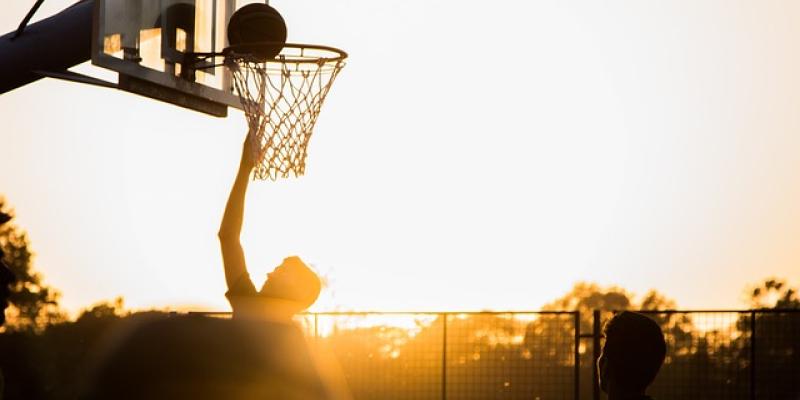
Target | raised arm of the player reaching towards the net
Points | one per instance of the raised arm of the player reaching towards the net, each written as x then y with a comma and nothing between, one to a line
231,226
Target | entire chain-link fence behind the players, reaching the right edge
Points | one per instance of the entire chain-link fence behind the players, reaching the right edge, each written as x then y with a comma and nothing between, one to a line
711,354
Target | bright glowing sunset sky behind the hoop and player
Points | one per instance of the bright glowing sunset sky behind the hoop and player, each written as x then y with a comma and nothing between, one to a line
472,155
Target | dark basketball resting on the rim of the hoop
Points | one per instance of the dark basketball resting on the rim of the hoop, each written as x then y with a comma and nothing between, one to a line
257,29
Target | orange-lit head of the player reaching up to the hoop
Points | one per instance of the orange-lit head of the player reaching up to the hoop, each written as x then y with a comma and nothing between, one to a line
293,281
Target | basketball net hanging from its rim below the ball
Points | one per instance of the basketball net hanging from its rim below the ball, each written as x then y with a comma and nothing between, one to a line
282,98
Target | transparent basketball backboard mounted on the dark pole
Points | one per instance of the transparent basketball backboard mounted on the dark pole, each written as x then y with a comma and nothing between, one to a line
145,42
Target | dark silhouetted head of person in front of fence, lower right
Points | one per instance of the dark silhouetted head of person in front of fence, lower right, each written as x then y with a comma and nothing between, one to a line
632,355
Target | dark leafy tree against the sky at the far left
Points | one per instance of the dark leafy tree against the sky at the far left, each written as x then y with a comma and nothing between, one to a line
34,304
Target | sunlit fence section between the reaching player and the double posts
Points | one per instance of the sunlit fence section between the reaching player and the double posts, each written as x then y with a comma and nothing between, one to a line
487,355
